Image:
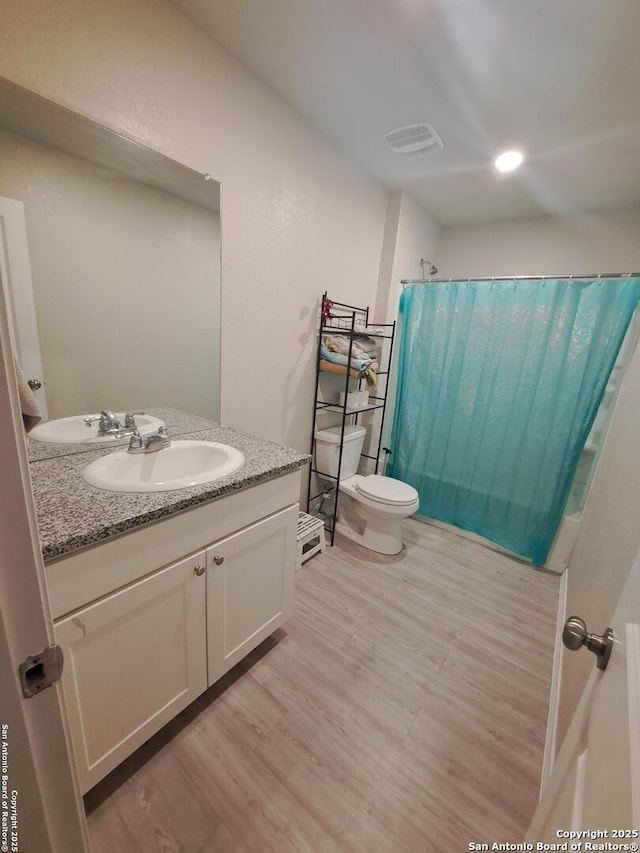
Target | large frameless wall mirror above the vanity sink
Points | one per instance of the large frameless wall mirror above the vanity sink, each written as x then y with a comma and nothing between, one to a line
116,261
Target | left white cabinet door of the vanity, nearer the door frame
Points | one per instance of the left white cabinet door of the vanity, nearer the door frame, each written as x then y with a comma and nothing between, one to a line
133,660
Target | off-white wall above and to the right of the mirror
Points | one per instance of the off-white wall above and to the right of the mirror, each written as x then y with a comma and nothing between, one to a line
297,217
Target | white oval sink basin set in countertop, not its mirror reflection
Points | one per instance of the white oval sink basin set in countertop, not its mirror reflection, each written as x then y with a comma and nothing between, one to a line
182,464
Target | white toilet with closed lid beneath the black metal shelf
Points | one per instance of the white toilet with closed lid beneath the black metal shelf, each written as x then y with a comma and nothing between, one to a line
370,508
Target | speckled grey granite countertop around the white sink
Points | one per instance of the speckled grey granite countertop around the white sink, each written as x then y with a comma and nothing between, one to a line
73,515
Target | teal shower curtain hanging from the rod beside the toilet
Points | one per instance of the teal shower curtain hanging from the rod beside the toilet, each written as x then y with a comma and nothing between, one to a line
499,385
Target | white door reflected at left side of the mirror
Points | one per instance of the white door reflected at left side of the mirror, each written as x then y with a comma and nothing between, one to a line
15,272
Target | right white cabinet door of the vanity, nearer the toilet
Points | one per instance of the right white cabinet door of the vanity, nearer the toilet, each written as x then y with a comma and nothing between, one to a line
249,588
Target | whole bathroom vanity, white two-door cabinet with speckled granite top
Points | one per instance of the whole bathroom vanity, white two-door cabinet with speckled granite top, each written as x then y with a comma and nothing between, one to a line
155,596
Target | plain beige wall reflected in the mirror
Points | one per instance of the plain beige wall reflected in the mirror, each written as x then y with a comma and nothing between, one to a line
126,285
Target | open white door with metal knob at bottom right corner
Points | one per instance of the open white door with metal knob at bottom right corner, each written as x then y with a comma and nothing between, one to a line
595,784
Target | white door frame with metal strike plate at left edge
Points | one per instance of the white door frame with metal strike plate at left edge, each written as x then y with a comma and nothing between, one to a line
36,766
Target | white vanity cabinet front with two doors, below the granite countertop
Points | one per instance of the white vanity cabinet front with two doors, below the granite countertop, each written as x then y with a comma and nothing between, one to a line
145,629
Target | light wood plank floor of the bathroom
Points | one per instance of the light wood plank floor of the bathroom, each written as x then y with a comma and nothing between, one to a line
402,708
